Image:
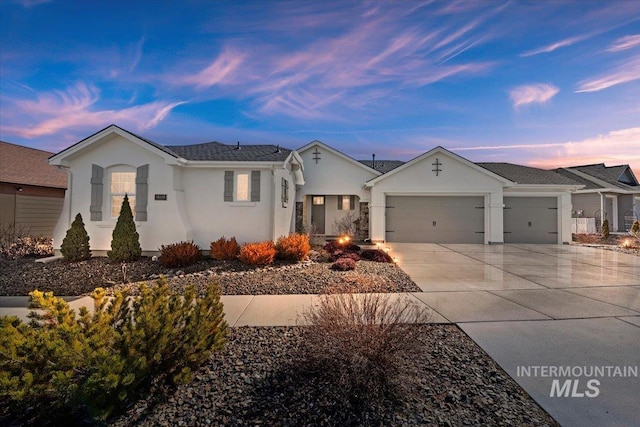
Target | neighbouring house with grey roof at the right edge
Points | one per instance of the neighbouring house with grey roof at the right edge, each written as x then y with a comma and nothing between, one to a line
610,192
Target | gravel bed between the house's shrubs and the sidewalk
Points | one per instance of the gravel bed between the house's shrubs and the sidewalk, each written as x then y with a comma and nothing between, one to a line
21,276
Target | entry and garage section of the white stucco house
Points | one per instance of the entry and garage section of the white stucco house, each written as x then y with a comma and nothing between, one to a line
437,197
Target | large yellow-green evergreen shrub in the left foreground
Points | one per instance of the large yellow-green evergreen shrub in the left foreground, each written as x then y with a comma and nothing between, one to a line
63,368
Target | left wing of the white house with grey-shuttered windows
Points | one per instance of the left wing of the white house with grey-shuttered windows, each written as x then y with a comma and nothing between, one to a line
194,192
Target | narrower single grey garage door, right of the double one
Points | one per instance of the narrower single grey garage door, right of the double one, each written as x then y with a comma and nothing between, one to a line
530,220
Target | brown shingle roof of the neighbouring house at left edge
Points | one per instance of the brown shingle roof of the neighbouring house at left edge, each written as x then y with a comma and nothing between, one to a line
28,166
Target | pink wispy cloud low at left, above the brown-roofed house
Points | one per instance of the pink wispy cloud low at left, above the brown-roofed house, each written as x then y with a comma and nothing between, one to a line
73,109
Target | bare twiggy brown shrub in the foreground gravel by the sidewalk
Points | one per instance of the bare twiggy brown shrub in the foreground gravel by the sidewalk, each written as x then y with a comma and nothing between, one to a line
358,343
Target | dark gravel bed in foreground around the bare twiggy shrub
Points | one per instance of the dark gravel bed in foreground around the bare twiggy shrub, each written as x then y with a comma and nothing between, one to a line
255,381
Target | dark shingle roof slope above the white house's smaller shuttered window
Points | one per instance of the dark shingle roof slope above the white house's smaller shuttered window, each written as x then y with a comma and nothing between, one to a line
216,151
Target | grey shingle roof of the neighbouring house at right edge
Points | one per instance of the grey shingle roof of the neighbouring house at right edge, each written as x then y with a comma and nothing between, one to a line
598,176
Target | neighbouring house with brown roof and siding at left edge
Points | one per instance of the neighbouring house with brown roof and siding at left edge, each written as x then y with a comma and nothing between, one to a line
31,191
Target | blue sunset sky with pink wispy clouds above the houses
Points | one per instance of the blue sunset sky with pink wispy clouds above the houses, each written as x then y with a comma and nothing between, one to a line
539,83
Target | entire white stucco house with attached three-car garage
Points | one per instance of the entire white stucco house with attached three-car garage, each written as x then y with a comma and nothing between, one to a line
261,192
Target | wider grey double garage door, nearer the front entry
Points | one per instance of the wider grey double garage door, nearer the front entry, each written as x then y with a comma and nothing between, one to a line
435,219
